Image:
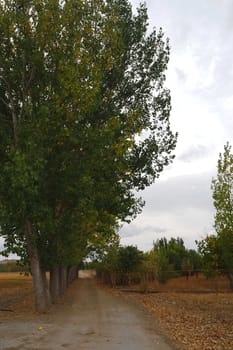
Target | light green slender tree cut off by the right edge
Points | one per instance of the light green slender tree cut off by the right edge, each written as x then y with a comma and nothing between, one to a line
217,250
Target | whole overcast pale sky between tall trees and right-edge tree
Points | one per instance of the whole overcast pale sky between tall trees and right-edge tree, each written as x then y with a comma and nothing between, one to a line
200,77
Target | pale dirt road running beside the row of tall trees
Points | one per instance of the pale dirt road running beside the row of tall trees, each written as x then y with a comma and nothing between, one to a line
93,319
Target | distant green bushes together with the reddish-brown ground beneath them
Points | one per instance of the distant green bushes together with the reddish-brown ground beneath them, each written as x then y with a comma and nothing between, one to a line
169,266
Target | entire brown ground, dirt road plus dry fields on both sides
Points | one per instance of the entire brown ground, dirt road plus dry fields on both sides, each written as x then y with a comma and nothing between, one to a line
98,317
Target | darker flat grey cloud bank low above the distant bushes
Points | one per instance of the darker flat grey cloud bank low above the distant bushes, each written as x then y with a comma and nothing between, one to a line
180,206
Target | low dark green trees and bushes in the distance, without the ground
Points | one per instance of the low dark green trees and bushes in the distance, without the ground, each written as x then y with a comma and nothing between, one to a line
168,258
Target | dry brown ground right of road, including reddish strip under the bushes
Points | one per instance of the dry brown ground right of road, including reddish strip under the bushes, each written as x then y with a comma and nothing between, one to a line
189,313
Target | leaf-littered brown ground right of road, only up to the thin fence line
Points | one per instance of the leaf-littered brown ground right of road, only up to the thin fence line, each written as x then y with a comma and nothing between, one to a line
194,321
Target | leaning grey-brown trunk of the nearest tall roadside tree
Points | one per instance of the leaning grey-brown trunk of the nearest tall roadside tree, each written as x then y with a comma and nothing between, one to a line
42,301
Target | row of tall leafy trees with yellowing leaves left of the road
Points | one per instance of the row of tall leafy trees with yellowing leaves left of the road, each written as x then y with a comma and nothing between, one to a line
84,122
